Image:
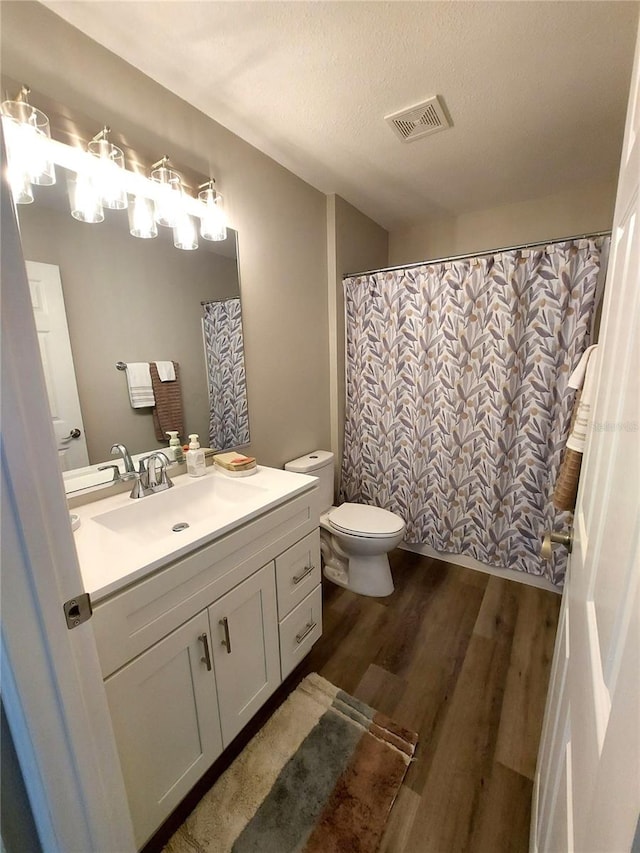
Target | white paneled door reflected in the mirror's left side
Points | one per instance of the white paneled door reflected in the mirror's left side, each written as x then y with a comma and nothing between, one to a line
57,361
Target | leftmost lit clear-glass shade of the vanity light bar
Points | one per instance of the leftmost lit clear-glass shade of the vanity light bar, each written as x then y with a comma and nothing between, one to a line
27,131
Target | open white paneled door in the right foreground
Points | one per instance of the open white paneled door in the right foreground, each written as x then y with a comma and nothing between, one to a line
587,793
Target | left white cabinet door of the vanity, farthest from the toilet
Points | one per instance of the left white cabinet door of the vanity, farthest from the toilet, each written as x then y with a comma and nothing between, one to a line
165,719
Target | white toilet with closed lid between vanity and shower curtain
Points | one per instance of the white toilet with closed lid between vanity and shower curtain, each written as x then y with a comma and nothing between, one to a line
354,539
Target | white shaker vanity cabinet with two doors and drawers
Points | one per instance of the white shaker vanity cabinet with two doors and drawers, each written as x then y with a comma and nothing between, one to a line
190,652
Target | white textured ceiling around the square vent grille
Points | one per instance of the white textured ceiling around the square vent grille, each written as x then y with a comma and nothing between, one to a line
536,91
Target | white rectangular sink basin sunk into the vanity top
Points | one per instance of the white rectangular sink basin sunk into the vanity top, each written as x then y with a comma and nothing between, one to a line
208,500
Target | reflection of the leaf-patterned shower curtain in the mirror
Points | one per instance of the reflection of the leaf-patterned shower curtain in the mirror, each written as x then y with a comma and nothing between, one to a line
226,378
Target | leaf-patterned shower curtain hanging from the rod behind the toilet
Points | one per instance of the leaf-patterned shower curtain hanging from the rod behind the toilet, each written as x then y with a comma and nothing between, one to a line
457,407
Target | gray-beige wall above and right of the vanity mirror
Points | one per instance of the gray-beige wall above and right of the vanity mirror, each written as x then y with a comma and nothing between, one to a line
281,220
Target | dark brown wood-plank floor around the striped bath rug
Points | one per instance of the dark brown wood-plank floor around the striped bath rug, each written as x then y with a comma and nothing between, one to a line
461,657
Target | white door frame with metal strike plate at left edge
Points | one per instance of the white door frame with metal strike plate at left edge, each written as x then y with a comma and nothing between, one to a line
52,687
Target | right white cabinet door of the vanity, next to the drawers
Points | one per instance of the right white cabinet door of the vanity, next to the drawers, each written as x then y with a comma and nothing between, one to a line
244,629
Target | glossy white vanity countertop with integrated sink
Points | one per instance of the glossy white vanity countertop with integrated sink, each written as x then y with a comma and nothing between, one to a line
120,540
